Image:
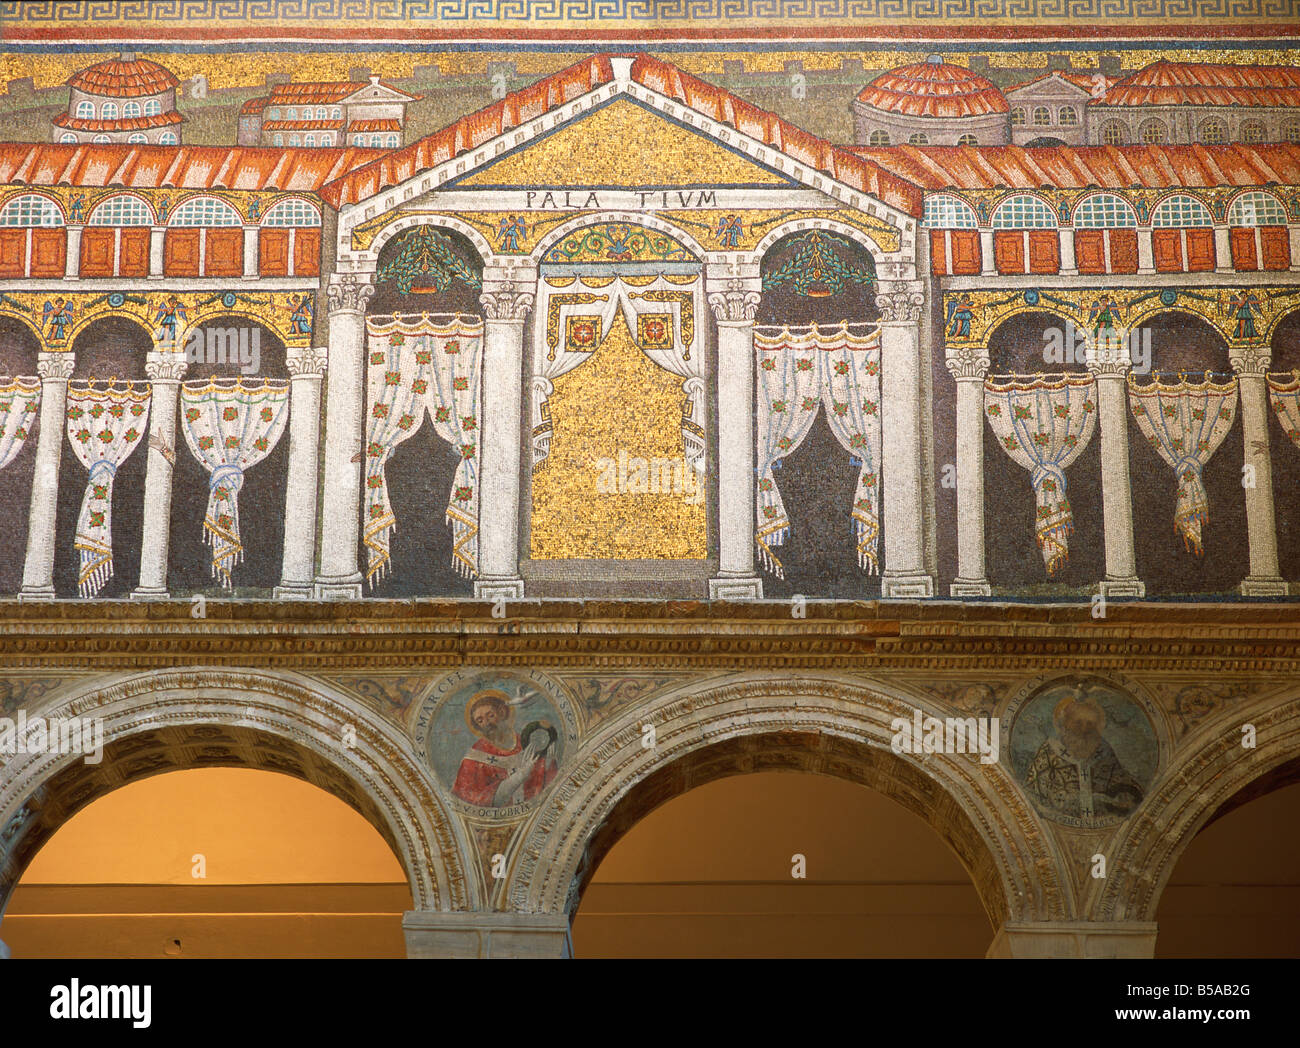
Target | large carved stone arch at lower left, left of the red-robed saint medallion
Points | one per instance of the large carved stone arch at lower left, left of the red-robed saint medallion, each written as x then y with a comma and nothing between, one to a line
159,722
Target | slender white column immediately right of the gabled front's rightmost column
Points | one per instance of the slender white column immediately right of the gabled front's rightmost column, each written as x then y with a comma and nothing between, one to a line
969,369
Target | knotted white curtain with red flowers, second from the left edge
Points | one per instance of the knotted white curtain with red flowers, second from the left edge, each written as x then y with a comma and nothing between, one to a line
105,426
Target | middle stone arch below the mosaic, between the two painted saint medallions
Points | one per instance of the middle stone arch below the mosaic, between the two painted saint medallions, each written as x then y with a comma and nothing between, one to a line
820,726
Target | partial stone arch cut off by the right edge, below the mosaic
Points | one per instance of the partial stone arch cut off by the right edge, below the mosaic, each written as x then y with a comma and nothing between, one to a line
1211,773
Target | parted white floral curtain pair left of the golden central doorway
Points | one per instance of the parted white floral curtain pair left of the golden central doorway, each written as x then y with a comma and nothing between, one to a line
415,366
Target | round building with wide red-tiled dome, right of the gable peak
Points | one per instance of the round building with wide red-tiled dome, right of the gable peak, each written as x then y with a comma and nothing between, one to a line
931,103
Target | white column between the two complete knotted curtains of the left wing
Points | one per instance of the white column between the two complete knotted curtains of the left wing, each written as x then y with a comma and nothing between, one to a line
166,371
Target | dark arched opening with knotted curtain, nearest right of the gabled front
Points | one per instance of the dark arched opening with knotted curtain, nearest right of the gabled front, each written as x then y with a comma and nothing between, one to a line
1037,366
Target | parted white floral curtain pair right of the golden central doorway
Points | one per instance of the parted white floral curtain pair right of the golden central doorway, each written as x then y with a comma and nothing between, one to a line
799,370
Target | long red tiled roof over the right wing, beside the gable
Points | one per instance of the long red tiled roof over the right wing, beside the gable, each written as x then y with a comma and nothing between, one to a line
1080,167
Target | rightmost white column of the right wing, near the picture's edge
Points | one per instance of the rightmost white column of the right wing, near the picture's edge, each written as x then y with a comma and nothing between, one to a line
1262,527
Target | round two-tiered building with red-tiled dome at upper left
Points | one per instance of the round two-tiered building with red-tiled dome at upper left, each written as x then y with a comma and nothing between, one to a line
122,101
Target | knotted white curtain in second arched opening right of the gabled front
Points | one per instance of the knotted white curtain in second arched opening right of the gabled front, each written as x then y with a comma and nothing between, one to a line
1186,423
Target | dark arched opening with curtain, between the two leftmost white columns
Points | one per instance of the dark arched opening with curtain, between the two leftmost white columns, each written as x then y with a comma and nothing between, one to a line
101,514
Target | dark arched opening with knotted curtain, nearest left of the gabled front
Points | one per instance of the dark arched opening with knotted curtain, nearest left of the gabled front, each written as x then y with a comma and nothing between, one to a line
232,464
